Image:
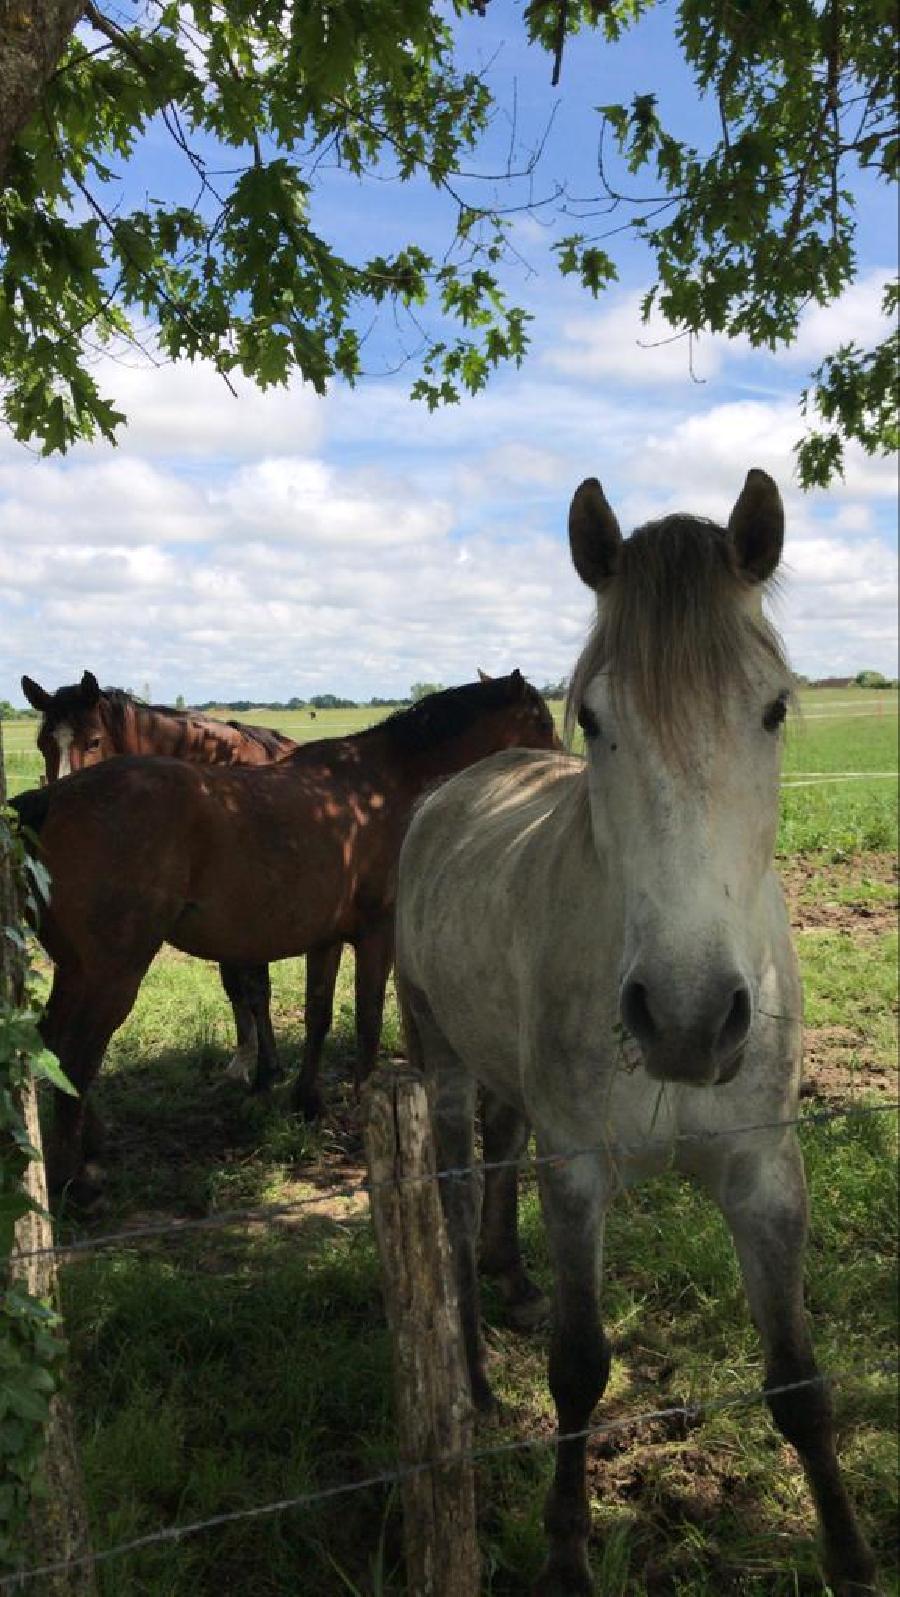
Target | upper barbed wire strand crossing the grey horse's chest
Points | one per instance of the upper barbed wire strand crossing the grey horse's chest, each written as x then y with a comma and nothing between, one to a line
267,1213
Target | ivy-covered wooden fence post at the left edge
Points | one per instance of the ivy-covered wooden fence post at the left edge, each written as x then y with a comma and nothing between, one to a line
58,1528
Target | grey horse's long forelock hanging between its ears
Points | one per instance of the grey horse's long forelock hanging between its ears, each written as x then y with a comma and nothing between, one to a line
676,632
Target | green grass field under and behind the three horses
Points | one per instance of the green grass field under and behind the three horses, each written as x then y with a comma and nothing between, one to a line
251,1363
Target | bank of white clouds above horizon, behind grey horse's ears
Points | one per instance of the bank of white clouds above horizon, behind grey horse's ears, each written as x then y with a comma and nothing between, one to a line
393,547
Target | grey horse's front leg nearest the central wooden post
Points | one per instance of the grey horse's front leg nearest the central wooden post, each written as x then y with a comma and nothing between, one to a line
572,1200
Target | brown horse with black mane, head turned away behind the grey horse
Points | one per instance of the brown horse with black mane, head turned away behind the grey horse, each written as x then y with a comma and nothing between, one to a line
245,866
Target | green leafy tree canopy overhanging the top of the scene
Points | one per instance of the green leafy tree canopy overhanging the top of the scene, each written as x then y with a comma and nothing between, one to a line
266,103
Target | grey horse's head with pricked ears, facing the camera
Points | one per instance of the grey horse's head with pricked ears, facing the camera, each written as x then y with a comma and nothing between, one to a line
681,695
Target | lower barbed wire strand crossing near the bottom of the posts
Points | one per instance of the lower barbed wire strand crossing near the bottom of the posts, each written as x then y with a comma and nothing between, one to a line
687,1411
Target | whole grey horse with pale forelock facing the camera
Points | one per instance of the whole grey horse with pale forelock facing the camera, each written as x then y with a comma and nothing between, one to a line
602,946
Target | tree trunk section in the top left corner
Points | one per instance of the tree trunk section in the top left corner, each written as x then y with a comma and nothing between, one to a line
33,39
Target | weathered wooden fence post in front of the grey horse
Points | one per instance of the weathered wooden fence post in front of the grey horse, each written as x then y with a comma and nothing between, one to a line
432,1387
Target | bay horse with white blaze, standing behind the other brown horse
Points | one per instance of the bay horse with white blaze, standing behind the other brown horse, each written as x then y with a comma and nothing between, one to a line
84,724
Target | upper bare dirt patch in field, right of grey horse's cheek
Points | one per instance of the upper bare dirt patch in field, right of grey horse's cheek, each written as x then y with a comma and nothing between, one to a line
840,897
